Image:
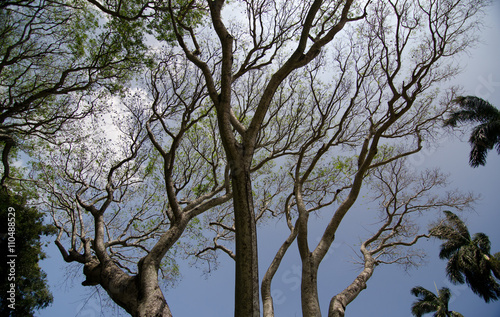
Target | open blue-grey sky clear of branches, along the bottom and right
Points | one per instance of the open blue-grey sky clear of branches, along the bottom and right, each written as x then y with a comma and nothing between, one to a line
388,291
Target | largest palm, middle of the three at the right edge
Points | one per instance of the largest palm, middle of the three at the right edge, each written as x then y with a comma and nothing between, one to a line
469,258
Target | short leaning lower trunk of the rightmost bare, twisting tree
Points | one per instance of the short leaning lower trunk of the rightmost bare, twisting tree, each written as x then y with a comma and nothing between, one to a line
340,301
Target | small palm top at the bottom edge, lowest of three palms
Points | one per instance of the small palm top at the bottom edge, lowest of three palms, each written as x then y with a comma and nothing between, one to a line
428,302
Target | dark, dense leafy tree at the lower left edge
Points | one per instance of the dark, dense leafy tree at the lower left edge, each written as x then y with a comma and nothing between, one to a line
24,284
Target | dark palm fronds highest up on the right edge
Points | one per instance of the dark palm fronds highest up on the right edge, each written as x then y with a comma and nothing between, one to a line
486,134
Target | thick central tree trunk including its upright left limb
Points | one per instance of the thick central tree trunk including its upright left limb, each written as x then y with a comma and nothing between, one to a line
239,156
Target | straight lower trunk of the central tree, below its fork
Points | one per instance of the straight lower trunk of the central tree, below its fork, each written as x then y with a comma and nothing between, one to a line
247,277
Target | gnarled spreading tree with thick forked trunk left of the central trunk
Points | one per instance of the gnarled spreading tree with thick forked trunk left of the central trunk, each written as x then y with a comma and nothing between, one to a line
122,202
